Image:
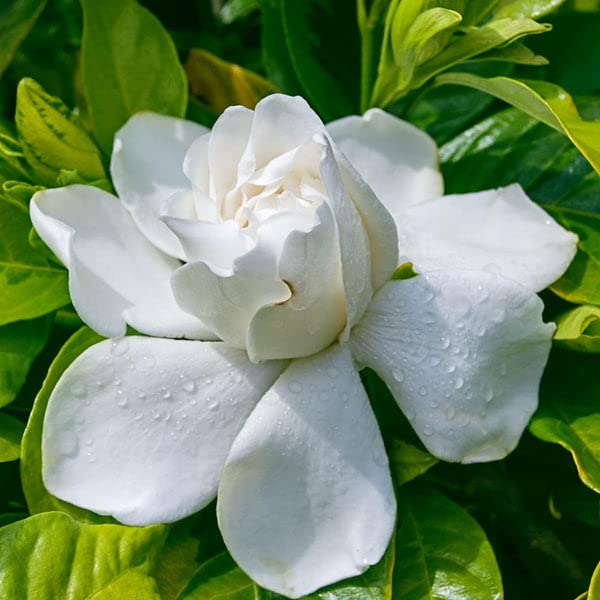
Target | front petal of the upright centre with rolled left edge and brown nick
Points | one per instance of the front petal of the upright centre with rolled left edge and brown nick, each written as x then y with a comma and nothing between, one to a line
316,312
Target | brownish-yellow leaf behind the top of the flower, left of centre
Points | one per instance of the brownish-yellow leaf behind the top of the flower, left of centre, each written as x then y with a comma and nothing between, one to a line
221,84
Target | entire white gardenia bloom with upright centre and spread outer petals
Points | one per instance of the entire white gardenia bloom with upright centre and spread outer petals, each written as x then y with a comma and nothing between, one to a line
279,237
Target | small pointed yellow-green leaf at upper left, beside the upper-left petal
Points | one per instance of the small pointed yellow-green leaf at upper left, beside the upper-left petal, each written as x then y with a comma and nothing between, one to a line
51,138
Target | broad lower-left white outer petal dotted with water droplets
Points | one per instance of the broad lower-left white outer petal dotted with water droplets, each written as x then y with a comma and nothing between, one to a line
139,428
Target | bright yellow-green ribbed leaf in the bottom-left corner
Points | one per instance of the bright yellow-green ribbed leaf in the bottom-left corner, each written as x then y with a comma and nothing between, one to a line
53,556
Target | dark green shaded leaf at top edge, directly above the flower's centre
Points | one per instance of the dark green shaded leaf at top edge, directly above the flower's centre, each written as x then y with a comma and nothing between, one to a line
302,52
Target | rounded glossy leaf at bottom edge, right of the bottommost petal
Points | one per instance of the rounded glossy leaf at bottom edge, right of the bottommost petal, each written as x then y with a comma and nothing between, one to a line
441,552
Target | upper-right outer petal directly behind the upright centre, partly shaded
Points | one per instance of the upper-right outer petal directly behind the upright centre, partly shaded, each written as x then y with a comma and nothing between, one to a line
398,160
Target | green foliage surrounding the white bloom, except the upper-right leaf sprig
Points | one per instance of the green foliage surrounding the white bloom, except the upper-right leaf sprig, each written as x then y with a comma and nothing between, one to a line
526,527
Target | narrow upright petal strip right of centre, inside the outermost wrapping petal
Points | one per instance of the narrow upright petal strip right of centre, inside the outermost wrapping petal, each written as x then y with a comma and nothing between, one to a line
355,250
